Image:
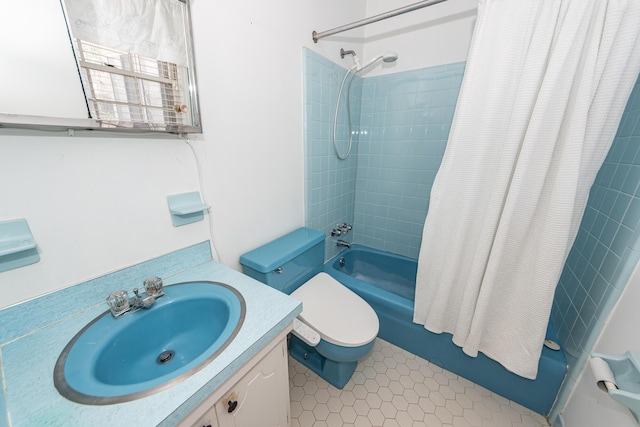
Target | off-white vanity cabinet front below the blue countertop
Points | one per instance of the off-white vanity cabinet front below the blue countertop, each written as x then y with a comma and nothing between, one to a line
257,395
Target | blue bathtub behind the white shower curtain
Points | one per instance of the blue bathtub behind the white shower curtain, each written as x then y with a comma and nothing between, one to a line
387,282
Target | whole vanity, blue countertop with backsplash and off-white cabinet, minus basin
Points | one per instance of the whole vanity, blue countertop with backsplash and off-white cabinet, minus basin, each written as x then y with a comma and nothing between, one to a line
244,385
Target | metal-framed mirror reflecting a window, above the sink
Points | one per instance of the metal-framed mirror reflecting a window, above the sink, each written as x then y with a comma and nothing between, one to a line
129,66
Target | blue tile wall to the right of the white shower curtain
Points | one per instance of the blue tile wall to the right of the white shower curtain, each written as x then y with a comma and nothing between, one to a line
606,249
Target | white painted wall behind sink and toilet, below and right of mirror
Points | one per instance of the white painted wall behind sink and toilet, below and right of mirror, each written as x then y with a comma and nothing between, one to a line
97,202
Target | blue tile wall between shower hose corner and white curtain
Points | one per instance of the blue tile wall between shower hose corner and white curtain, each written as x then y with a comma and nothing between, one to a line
405,123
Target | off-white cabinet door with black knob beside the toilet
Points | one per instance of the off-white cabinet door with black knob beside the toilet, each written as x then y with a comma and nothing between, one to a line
261,397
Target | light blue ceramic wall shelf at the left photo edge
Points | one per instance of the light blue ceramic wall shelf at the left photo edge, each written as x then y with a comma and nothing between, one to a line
17,246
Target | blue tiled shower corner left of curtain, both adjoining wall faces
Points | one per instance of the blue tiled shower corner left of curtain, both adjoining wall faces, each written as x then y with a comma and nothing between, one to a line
401,124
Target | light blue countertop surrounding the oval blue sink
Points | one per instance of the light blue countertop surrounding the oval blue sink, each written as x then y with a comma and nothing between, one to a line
27,361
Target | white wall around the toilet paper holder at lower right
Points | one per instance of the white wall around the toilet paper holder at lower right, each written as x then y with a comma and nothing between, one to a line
588,406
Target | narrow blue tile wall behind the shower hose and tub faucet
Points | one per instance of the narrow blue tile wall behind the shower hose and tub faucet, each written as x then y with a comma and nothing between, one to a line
330,183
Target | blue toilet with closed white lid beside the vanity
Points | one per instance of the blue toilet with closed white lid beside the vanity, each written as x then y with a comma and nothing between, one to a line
336,327
